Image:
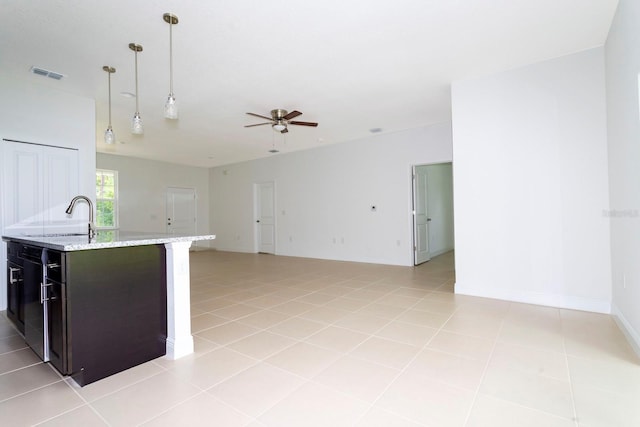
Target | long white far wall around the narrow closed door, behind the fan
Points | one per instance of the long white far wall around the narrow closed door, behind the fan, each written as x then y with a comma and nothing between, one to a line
324,197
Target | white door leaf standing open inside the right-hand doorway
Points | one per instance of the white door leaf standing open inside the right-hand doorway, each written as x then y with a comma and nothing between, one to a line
420,215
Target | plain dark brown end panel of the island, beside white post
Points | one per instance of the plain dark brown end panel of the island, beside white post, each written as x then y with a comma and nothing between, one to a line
116,309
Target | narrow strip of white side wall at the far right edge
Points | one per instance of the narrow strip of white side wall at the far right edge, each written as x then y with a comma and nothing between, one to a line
623,66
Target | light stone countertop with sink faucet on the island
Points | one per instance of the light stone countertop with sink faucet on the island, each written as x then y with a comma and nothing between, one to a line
105,239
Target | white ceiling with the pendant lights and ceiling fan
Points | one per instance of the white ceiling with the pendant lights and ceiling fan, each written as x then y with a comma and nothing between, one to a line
349,65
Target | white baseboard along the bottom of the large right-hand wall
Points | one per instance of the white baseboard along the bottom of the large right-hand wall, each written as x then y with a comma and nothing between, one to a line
550,300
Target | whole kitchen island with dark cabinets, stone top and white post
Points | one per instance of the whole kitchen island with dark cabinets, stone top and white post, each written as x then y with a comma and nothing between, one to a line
94,307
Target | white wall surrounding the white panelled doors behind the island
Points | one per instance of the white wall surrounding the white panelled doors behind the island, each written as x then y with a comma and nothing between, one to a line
39,113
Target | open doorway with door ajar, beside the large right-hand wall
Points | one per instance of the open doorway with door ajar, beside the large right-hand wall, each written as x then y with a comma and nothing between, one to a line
432,190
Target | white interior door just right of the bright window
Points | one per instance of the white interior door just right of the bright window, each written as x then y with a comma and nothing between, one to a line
181,211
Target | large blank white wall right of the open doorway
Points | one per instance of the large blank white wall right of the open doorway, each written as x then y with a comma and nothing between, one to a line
531,183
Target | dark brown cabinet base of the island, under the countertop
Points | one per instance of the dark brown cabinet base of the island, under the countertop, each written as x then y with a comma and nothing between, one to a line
91,313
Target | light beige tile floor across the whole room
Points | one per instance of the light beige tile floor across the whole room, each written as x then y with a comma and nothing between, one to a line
300,342
